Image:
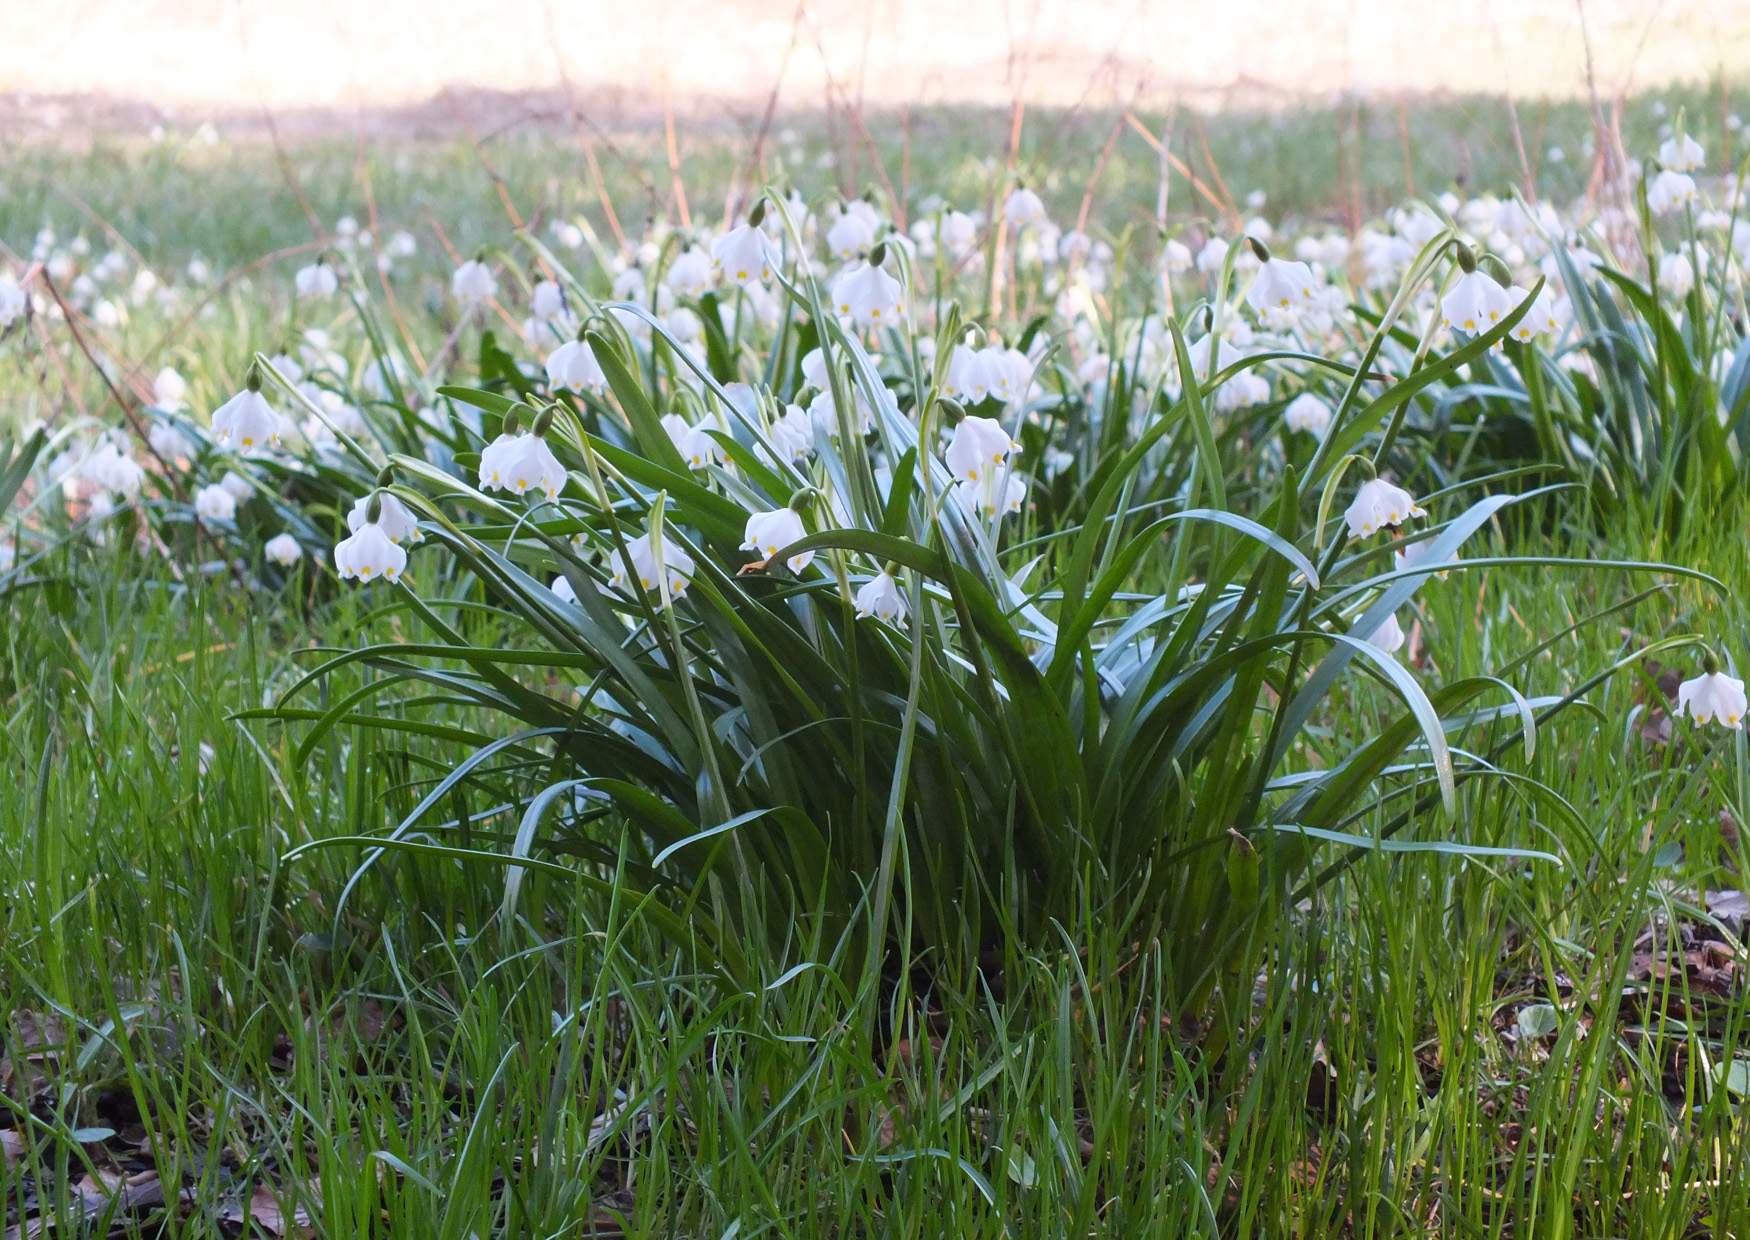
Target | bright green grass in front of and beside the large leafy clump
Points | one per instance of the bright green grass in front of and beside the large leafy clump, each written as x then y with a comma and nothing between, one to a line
403,1064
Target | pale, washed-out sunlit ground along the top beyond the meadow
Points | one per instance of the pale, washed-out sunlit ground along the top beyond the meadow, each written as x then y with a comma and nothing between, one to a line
230,59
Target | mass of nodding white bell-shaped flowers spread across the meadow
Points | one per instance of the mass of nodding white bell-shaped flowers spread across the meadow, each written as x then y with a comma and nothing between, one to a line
1275,298
